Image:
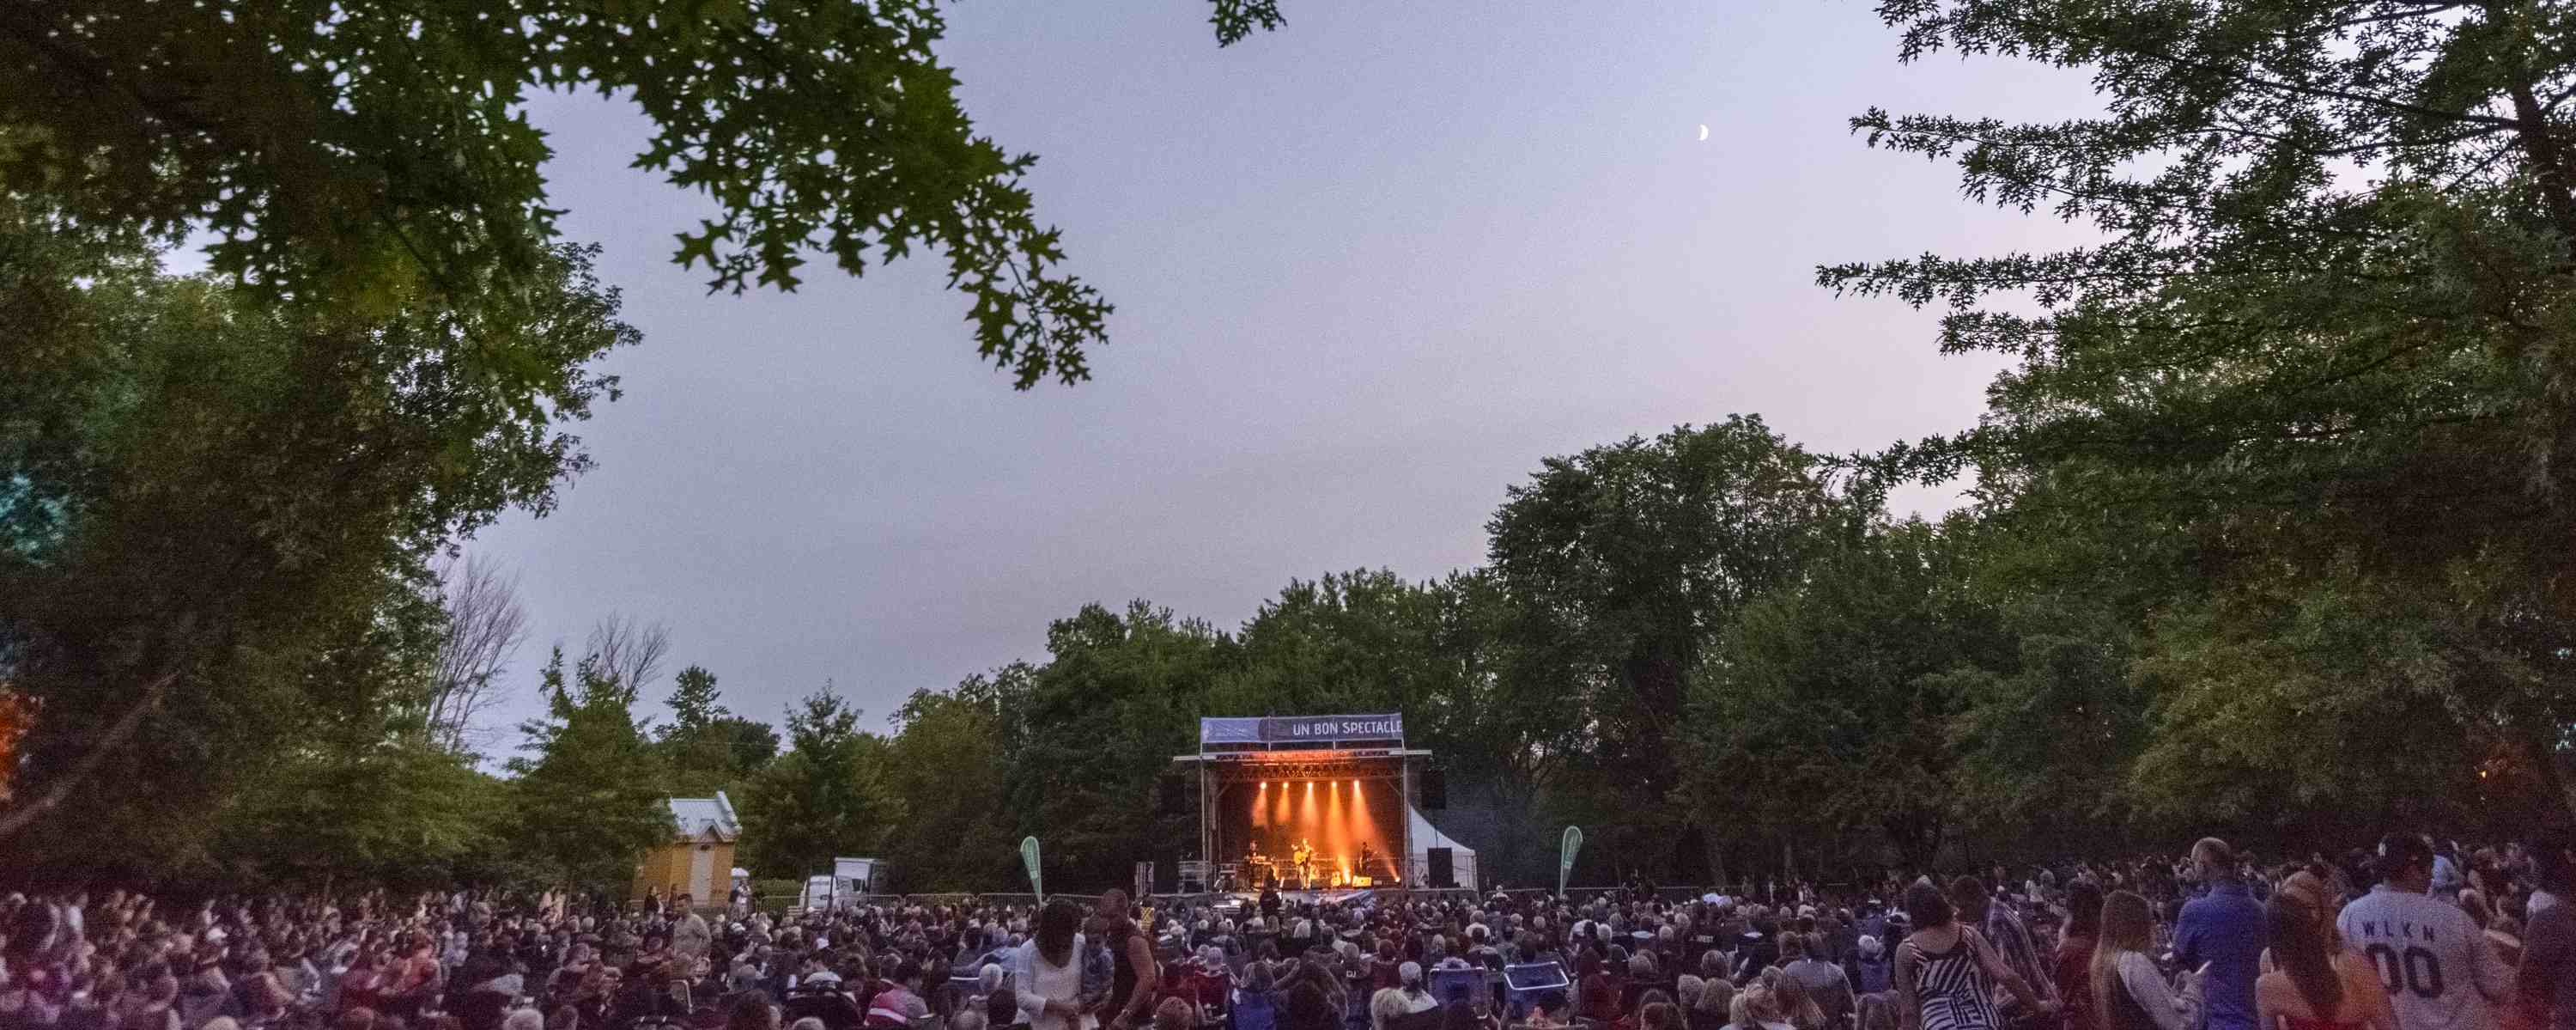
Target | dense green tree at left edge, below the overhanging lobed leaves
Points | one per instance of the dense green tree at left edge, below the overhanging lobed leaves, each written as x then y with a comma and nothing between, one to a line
218,514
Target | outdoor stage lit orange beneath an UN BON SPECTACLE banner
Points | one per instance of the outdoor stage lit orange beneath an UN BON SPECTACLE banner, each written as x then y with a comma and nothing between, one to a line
1318,805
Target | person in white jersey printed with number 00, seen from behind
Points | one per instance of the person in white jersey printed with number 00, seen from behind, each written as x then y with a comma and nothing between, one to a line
2430,957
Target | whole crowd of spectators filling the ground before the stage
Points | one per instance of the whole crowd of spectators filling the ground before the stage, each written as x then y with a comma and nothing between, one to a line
2410,936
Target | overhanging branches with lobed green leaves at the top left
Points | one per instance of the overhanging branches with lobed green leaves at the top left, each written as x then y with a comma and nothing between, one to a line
375,151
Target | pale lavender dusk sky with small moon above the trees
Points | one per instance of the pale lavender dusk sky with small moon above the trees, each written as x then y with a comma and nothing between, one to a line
1369,272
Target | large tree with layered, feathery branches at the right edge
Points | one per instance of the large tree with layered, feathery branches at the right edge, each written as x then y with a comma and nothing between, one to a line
2317,359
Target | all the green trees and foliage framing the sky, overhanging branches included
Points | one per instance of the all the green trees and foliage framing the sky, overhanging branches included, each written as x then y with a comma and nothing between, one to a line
2268,516
